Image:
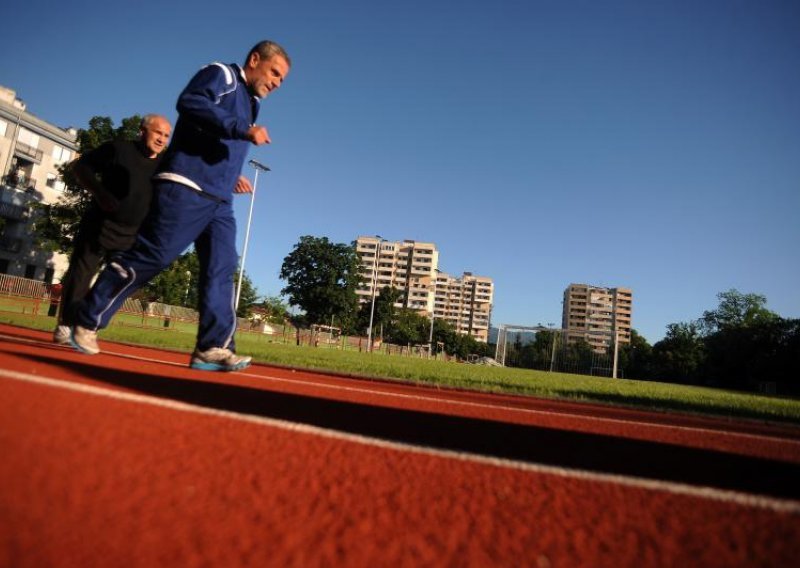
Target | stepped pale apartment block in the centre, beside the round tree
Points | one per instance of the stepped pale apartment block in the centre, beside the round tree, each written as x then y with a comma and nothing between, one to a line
412,267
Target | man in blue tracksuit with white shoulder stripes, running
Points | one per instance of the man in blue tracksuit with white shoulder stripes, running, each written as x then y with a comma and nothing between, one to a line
193,190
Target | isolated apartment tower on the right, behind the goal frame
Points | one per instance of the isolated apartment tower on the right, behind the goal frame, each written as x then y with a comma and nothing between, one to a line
597,314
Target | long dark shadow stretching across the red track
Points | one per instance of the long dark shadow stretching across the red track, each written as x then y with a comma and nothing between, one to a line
532,444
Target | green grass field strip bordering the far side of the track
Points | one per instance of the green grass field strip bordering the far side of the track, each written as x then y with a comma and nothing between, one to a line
620,392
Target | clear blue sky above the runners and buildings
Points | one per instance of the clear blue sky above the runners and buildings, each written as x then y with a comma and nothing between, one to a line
650,145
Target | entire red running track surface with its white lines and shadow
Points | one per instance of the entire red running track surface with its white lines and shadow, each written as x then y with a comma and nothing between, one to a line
130,458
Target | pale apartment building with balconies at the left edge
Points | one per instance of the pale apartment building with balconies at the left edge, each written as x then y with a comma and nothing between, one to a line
31,150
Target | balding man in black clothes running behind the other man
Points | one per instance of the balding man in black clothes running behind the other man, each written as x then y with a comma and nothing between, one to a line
118,175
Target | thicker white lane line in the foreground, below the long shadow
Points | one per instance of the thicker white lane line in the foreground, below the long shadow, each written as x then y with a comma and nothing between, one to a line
726,496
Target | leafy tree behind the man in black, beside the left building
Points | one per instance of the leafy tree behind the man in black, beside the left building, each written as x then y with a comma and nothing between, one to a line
56,224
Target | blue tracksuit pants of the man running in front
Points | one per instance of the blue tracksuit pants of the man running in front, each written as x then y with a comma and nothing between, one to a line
178,218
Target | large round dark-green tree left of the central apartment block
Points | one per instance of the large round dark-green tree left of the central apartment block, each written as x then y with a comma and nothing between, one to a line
322,278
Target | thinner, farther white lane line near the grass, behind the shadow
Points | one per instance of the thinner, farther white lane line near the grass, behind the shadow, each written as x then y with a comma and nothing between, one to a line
482,406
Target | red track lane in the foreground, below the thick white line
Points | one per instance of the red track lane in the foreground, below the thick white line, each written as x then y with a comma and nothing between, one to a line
89,476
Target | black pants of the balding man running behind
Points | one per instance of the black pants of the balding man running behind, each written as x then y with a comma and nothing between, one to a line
95,243
